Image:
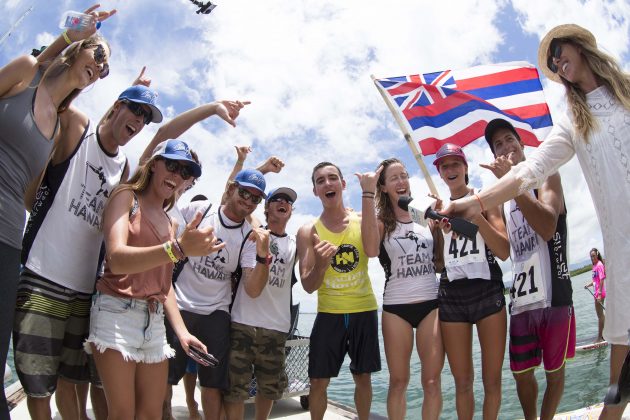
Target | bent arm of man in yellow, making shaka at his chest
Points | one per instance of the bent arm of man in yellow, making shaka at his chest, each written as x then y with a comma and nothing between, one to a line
315,256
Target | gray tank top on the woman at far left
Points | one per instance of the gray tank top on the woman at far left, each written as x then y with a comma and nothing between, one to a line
23,153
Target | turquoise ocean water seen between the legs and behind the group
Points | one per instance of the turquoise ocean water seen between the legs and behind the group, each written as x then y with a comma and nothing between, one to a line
585,384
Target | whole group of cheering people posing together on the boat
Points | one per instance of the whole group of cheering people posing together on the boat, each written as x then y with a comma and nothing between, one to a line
154,283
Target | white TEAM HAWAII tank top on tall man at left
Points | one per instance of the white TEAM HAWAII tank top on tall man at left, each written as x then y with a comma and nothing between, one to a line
63,235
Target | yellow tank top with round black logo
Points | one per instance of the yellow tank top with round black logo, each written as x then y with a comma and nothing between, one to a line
346,287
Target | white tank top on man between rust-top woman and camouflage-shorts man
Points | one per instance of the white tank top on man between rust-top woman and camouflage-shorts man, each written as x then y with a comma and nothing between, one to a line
204,285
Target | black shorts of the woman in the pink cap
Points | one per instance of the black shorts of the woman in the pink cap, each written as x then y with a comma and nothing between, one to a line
469,300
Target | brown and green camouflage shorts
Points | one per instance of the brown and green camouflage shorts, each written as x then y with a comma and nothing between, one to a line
259,352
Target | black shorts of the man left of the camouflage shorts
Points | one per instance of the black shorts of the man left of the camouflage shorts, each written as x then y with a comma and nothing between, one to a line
214,331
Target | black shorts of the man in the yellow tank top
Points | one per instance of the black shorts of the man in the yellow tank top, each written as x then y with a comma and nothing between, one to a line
334,335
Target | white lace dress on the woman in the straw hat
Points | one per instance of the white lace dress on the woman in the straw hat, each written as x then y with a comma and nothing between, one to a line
605,162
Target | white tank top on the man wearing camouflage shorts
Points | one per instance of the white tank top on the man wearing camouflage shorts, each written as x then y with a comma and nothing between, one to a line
272,309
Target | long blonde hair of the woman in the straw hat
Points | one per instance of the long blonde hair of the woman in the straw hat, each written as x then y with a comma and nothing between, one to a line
607,72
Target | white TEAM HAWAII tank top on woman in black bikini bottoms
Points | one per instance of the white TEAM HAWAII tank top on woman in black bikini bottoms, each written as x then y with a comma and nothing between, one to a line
407,258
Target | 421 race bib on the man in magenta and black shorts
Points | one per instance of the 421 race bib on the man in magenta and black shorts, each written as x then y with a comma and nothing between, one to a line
528,286
